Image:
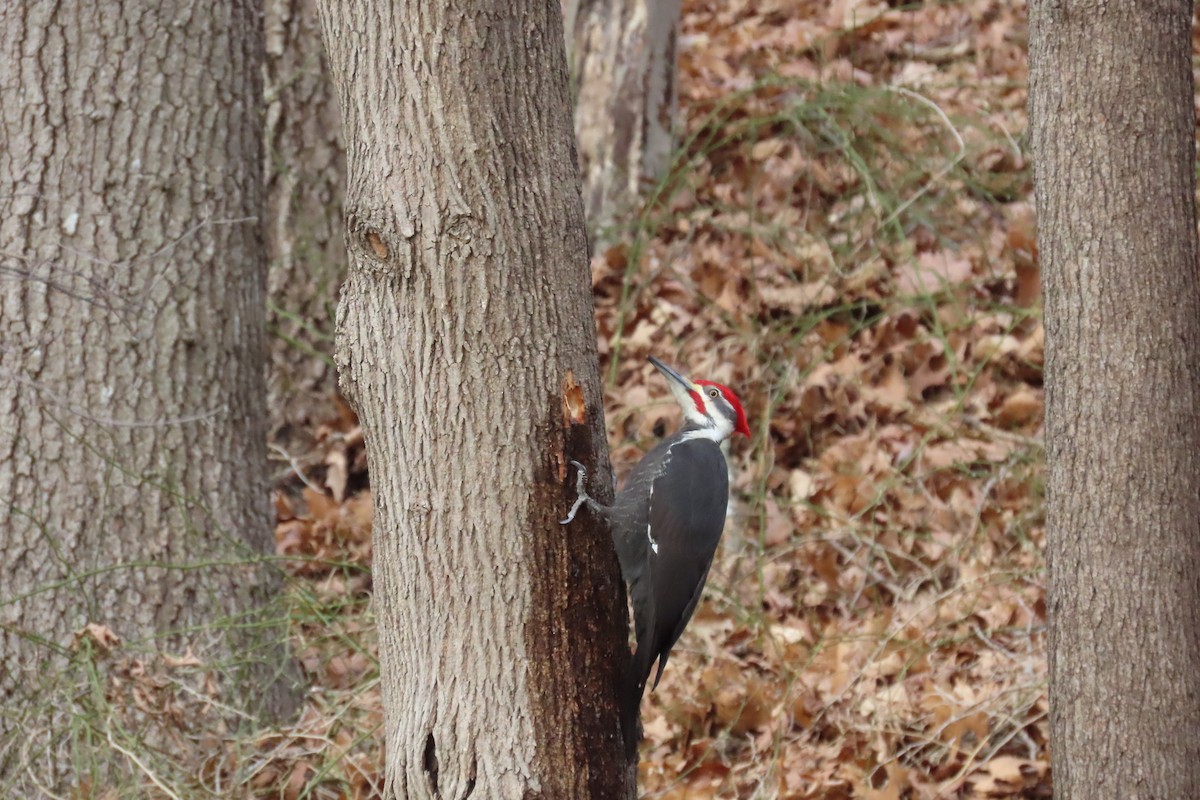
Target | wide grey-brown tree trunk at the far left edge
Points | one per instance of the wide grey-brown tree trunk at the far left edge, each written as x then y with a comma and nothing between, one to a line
133,416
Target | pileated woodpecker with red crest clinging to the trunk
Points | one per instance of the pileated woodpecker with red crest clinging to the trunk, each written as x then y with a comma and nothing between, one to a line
667,524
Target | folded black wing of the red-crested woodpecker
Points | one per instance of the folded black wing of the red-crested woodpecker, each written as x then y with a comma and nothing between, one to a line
686,533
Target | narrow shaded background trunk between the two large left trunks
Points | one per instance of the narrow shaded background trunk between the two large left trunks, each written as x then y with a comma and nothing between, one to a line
305,184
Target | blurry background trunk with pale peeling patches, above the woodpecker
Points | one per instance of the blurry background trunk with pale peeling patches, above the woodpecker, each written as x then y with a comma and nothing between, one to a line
623,80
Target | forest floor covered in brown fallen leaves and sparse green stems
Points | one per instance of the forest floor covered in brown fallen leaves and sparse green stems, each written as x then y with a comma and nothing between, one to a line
848,240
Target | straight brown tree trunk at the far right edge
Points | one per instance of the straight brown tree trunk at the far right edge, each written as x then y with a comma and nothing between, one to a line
1113,123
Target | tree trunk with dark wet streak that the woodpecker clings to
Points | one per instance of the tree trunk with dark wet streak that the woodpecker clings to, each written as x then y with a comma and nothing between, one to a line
466,311
